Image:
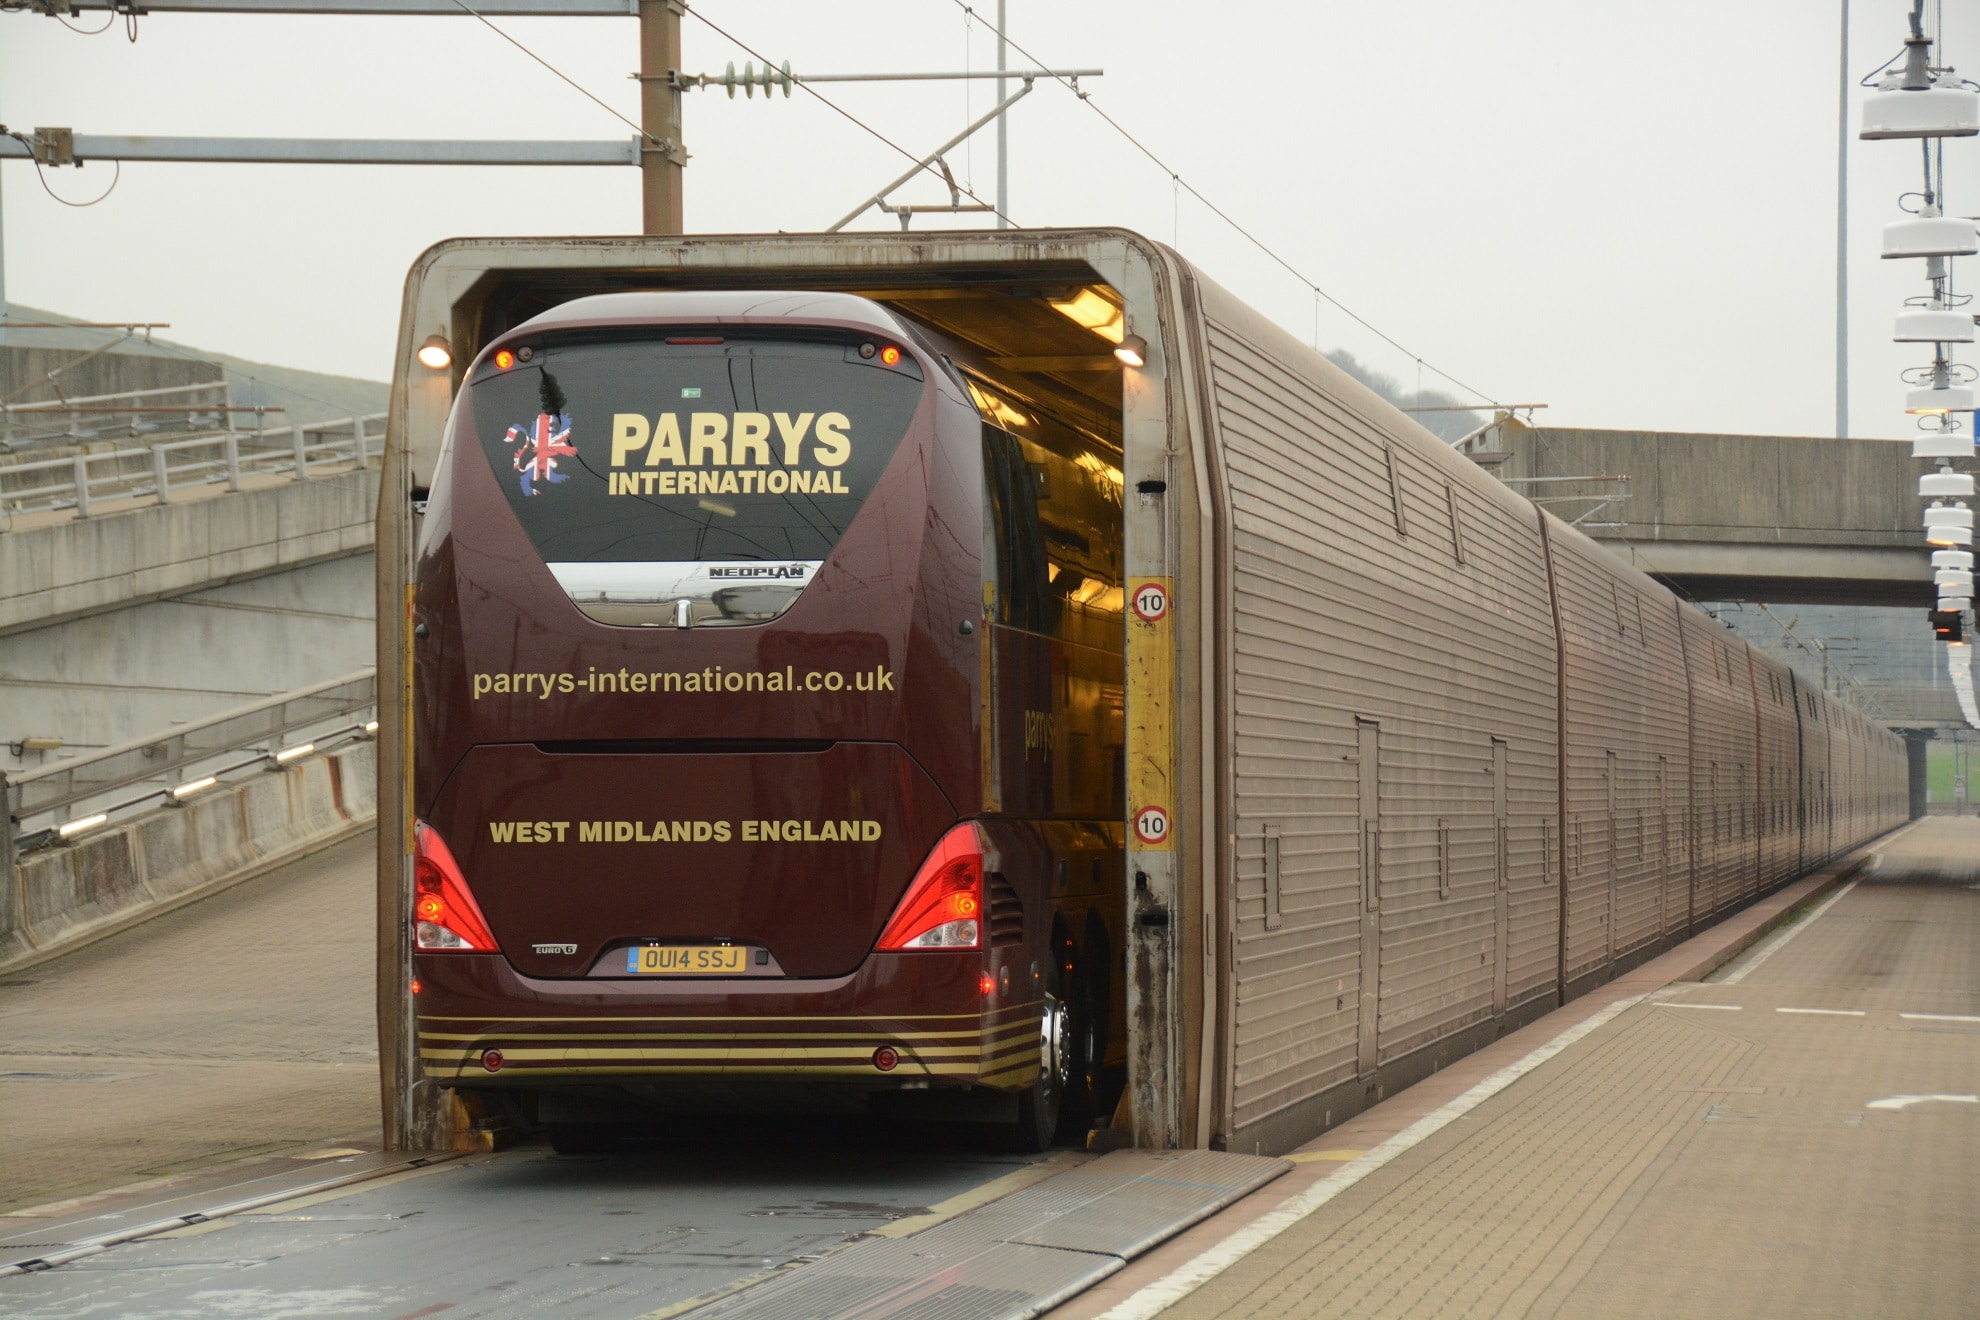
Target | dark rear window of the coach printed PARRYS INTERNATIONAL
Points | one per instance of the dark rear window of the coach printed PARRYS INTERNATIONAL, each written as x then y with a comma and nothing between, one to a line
652,452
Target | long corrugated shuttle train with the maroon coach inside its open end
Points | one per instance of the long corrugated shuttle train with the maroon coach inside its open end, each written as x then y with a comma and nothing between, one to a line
1005,678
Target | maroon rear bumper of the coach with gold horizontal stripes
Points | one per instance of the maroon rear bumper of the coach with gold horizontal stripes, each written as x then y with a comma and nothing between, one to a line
930,1008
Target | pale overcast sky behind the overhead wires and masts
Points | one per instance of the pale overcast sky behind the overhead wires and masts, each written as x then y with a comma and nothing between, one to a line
1623,211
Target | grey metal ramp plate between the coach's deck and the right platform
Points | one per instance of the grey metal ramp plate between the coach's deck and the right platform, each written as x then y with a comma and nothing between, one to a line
1015,1258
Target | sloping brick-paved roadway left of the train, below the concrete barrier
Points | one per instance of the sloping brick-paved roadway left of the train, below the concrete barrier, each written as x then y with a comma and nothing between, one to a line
237,1026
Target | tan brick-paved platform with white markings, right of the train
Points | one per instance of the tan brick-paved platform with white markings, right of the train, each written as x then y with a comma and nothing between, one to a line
1793,1137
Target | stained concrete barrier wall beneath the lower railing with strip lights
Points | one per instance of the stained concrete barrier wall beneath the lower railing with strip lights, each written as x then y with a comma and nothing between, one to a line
122,876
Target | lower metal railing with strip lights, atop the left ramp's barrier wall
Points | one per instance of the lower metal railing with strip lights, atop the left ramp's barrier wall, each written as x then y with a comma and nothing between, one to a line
148,771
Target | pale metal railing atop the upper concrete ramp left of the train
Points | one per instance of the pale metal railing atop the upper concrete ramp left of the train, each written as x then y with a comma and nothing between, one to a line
233,458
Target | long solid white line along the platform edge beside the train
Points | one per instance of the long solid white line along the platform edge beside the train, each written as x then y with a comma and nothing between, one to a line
1179,1283
